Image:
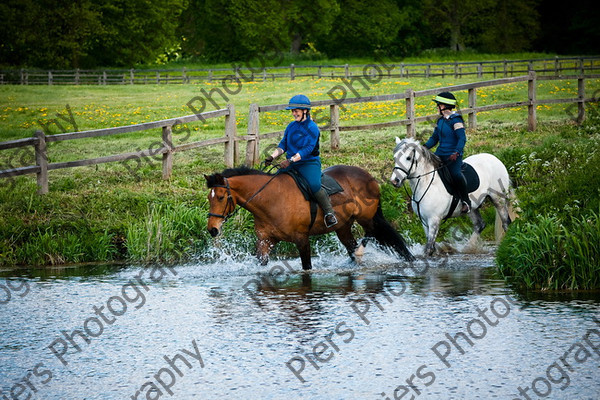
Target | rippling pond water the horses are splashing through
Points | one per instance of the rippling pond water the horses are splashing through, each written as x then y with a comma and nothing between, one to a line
227,327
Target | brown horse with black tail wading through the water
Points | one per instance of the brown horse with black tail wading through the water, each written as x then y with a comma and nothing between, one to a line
282,214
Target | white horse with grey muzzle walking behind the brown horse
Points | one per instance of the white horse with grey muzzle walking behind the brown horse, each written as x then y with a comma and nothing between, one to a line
430,199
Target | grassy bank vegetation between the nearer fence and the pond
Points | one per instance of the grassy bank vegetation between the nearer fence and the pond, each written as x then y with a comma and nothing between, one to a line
105,214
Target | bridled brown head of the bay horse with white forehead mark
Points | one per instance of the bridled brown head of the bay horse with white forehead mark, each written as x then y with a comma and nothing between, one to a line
221,202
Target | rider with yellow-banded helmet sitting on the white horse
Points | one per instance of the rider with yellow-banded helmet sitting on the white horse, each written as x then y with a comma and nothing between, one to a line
450,134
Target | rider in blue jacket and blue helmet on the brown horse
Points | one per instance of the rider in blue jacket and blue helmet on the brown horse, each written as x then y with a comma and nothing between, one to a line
301,144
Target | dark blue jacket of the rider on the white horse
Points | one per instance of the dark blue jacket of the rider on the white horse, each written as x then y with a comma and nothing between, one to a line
450,133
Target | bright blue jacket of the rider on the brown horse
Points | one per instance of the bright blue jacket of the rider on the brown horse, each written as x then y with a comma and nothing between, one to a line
302,138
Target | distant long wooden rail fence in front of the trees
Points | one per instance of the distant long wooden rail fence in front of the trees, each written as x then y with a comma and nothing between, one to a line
382,69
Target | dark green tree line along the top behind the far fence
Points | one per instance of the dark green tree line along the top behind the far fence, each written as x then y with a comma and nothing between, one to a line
119,33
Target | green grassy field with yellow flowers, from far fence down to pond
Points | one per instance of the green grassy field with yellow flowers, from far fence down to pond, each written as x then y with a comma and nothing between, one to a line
106,212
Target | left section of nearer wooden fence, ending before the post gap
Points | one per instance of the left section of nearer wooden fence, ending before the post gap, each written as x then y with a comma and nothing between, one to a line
167,148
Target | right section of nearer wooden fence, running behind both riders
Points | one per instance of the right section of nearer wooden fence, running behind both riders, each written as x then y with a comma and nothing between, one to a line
254,137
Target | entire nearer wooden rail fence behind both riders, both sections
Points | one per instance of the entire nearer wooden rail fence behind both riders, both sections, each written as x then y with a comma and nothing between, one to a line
253,138
